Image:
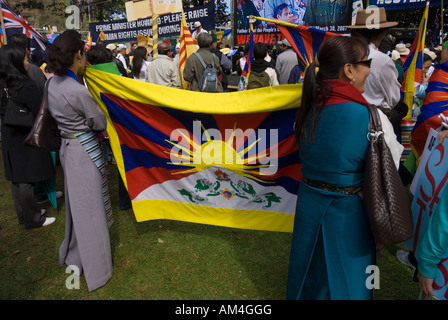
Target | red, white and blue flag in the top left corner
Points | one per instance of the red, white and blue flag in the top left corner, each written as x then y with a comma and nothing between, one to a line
14,23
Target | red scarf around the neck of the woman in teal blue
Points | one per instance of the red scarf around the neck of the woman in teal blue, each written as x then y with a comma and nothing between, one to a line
340,91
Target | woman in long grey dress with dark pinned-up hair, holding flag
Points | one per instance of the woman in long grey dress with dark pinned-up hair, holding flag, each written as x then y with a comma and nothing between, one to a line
86,247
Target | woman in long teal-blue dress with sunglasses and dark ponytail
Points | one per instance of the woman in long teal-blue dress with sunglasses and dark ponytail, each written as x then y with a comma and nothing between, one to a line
332,243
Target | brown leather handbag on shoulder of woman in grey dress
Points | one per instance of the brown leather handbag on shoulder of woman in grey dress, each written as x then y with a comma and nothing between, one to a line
45,133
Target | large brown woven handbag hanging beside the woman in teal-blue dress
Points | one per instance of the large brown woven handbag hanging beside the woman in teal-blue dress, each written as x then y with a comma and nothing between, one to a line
385,198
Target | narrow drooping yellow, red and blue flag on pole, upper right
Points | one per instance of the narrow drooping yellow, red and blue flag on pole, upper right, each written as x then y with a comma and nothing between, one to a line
413,65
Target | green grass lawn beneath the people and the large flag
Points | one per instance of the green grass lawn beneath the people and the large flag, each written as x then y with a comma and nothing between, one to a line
162,260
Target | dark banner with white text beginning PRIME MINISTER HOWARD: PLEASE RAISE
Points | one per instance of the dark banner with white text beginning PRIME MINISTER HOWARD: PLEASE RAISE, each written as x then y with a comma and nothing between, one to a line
169,25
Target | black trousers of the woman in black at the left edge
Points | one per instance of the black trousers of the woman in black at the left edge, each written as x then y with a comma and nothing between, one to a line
28,213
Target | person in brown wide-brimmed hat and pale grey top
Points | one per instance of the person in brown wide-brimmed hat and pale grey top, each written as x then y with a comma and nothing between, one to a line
382,86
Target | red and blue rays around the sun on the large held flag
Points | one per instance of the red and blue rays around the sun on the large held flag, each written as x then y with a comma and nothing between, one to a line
145,131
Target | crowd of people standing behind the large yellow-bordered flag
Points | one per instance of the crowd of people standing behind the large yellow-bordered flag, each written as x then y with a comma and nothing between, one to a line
279,62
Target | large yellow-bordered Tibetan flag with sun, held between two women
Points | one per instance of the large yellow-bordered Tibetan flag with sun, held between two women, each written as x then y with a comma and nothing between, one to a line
224,159
